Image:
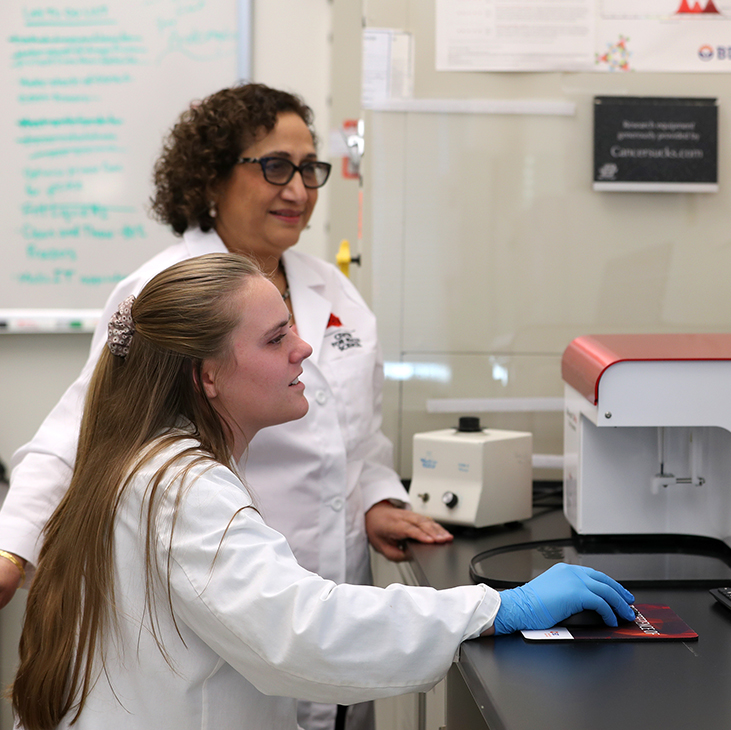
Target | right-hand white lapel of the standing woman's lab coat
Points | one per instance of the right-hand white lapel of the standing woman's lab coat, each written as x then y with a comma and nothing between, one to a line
311,308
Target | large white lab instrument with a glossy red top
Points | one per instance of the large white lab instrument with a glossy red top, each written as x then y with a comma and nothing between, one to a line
647,435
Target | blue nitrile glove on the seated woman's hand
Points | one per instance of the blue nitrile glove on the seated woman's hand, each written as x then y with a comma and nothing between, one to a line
560,592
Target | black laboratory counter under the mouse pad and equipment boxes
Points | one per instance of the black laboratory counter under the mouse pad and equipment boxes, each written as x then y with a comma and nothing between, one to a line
505,683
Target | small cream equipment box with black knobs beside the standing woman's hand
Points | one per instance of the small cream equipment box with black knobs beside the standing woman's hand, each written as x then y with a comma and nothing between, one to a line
473,476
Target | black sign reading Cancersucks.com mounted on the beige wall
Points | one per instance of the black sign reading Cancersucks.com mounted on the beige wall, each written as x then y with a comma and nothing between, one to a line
655,144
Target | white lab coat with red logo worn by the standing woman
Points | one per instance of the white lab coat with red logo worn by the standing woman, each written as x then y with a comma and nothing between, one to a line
313,479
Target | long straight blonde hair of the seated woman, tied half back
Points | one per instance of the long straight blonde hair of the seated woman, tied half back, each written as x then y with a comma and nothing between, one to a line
184,315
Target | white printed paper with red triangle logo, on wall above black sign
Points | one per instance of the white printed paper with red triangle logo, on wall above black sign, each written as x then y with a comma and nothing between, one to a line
584,35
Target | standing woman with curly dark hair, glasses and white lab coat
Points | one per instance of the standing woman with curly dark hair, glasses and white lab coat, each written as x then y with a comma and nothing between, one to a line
239,173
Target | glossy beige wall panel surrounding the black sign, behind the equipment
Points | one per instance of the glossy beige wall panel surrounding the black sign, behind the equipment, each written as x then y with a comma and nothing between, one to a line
491,252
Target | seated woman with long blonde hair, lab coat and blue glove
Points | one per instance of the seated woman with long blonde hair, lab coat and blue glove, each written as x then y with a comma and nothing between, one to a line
161,597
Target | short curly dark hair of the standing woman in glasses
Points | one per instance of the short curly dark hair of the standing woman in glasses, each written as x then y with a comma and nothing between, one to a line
202,148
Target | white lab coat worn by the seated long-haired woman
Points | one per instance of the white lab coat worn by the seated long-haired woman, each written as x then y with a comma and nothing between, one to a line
257,628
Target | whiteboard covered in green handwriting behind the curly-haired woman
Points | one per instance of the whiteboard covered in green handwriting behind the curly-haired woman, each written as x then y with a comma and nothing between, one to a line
89,90
